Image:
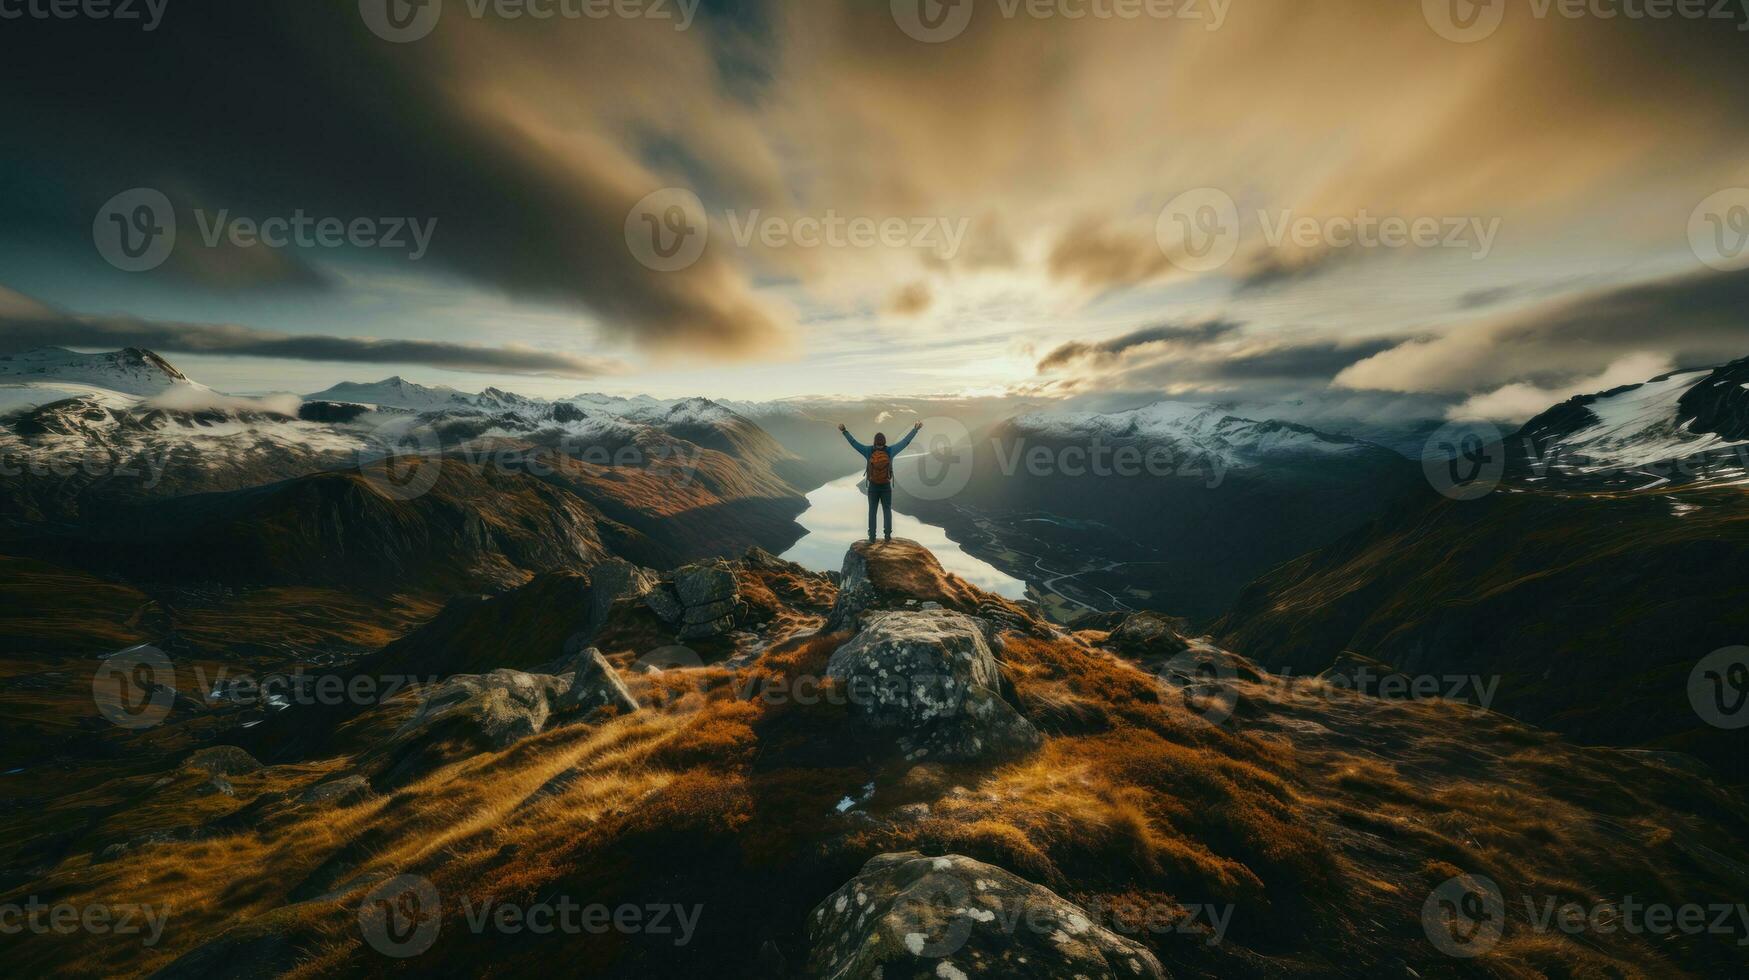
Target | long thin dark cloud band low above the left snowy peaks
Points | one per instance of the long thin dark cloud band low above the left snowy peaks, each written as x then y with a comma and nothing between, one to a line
32,328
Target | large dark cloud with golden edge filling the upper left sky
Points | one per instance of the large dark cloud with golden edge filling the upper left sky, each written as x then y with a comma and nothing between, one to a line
274,108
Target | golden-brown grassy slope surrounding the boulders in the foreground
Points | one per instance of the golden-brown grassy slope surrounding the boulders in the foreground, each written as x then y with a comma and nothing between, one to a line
1321,816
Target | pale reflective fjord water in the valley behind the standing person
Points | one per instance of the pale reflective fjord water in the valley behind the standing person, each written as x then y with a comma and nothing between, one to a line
839,517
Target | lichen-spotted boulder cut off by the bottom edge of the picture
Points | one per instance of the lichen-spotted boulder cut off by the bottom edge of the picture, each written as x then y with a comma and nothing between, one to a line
914,918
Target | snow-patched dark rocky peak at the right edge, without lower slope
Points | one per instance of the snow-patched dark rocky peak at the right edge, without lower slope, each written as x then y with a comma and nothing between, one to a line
1678,428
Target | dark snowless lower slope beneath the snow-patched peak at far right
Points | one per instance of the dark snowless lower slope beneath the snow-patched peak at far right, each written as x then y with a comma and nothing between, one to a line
1591,612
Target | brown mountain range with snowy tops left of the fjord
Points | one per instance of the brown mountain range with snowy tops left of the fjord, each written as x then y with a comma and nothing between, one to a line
466,494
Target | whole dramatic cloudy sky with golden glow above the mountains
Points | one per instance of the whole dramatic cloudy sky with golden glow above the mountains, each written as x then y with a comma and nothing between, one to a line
1024,181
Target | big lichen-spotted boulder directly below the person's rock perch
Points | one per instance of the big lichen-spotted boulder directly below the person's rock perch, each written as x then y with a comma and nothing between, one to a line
931,678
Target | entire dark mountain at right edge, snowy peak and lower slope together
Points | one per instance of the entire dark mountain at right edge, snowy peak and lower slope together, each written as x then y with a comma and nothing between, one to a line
1591,582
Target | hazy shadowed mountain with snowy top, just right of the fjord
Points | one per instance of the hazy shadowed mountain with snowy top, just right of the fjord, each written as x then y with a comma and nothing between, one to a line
1169,507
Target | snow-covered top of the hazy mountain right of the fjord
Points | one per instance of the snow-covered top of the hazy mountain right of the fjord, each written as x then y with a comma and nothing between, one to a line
1206,431
